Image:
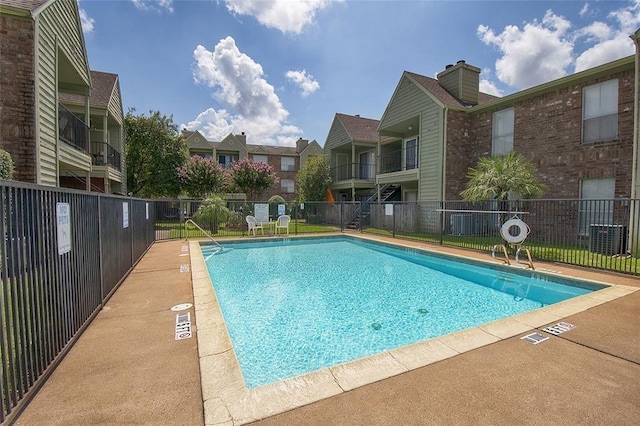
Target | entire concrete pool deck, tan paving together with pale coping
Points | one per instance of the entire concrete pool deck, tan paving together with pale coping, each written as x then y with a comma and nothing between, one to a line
127,368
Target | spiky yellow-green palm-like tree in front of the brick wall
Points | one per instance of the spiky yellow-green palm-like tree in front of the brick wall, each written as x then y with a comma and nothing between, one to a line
495,177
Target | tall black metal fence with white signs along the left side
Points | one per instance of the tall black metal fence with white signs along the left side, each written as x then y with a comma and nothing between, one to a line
62,254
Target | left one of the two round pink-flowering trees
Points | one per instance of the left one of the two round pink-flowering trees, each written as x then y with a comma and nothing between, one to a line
201,177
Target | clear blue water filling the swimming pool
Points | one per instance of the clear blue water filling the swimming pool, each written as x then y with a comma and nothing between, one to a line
292,307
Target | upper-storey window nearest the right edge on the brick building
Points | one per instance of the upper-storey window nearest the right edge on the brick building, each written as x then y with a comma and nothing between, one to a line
600,112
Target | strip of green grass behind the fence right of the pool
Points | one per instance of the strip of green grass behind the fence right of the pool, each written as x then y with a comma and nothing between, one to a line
579,256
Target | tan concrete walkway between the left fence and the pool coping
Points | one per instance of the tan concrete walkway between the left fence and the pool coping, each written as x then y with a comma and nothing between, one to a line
127,367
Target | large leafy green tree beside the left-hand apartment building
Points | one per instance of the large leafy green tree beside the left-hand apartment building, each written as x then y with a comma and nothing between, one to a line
154,151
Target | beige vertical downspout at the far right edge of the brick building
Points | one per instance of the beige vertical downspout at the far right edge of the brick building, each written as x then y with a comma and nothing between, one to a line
634,220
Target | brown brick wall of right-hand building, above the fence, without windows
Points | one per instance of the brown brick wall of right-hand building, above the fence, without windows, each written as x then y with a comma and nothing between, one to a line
548,131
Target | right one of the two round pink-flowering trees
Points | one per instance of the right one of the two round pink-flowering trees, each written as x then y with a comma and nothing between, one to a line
253,178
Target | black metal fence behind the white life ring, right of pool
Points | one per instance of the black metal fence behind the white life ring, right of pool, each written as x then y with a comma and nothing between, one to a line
602,234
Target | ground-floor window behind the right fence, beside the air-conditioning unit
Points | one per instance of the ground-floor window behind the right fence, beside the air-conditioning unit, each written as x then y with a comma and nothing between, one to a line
596,205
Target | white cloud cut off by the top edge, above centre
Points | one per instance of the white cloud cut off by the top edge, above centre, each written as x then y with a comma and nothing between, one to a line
287,16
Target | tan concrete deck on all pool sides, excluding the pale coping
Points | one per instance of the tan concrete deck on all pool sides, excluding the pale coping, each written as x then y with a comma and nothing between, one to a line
127,368
